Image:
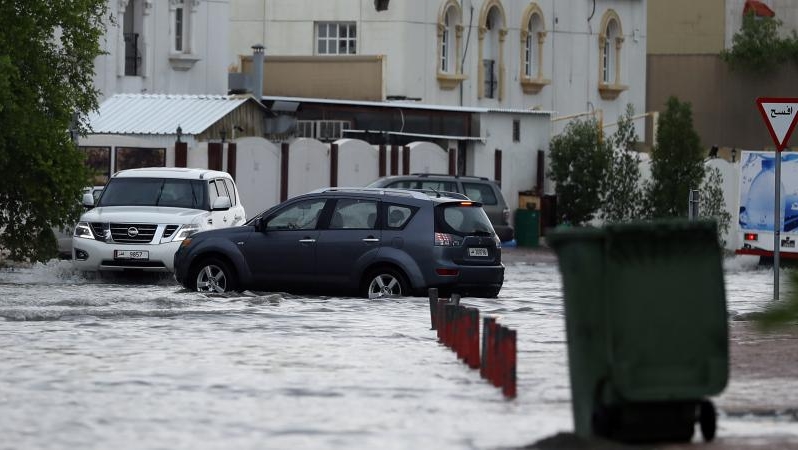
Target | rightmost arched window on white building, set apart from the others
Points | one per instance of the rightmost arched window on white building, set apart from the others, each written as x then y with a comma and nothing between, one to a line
610,45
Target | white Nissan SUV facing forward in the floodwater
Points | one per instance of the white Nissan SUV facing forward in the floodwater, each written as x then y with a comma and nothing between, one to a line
143,214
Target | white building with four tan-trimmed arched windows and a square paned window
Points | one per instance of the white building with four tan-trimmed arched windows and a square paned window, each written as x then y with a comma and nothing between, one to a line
566,56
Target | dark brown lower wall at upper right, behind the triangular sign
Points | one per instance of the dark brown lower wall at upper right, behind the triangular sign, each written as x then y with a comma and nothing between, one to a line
723,102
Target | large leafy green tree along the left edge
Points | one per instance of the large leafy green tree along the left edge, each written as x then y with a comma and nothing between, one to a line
47,53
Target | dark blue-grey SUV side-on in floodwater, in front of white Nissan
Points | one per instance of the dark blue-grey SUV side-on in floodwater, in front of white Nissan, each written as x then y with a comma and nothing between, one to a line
364,241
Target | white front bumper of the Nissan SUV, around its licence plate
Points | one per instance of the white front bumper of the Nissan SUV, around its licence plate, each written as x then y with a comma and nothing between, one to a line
99,256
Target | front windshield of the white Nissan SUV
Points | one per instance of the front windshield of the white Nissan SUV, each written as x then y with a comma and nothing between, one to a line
177,193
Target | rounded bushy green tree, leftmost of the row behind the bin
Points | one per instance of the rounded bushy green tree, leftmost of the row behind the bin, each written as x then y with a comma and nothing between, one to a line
579,163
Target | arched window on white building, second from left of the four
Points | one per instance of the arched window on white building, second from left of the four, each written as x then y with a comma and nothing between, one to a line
492,32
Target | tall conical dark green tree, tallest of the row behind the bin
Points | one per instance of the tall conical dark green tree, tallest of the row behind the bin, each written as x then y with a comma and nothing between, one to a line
676,162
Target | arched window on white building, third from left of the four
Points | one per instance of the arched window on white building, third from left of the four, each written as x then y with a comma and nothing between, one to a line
533,37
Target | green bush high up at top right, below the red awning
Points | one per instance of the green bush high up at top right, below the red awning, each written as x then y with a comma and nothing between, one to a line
757,47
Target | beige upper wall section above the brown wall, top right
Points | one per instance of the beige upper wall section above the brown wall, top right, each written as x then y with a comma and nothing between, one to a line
678,27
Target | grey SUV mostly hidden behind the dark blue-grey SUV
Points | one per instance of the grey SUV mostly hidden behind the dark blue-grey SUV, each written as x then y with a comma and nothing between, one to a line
479,189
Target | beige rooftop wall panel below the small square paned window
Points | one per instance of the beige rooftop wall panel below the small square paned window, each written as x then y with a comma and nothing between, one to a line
342,77
